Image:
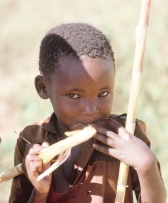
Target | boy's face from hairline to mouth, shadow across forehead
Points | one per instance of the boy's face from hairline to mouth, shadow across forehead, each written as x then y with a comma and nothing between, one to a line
81,91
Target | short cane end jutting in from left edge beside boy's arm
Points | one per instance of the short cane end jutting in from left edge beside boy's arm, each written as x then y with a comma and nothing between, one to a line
11,173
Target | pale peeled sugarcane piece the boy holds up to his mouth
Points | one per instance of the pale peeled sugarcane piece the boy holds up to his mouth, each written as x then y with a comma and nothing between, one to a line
50,152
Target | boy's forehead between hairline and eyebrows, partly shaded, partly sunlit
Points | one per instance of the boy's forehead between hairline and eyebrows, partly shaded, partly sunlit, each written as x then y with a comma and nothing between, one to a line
85,70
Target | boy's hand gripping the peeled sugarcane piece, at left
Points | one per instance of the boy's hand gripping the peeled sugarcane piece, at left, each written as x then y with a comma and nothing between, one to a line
33,166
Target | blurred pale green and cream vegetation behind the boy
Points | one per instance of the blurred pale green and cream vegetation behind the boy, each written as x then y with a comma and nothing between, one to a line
24,23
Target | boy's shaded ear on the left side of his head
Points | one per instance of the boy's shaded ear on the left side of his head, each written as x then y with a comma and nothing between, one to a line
40,84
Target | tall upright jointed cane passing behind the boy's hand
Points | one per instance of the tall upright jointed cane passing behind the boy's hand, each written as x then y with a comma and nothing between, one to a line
141,32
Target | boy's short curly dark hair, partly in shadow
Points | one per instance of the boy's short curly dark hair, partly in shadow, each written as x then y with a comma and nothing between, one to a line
75,39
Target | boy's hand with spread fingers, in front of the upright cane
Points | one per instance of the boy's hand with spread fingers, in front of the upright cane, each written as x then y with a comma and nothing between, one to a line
124,146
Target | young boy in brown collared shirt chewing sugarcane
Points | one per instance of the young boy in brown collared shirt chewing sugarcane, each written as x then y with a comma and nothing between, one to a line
77,70
